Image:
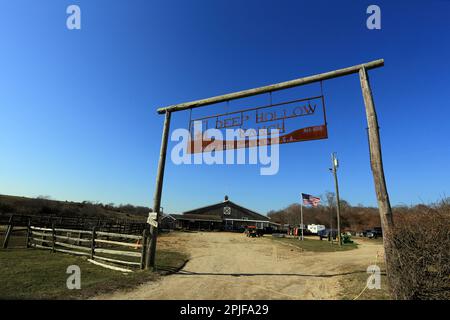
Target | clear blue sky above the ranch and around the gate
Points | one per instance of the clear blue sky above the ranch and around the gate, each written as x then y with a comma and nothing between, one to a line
77,108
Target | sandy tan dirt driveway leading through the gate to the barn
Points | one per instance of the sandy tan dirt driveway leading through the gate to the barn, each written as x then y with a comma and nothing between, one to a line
232,266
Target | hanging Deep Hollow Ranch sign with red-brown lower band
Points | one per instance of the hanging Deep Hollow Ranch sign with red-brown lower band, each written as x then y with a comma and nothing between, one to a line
294,121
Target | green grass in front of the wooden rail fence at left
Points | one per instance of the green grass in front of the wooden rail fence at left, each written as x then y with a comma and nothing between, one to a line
41,274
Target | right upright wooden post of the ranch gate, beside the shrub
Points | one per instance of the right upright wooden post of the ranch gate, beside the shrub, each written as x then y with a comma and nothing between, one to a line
376,161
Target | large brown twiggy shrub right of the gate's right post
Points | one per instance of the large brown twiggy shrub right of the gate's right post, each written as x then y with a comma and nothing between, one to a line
419,254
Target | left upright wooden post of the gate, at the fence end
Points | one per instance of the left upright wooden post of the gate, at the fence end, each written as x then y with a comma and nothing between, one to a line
158,191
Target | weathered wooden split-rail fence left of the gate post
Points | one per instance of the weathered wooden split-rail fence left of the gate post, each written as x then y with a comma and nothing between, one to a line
119,251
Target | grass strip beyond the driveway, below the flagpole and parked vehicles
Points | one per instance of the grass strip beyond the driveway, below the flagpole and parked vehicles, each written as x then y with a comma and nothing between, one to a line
314,245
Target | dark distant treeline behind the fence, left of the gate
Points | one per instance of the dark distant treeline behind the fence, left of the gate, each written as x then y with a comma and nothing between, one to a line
43,205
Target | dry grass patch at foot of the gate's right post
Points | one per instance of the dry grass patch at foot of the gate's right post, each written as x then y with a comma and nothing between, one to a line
353,284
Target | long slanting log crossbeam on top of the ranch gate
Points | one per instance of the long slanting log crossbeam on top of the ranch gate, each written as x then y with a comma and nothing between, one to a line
272,87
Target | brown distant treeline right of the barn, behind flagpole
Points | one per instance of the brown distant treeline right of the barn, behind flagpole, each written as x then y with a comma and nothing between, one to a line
352,218
